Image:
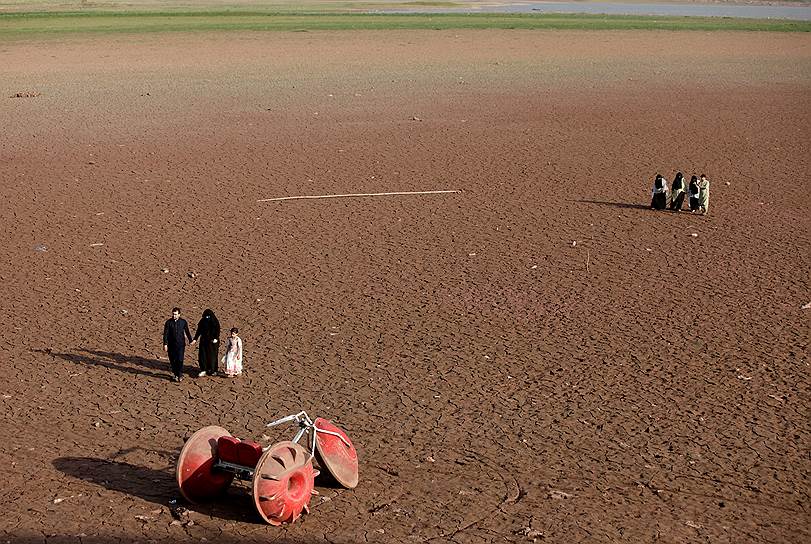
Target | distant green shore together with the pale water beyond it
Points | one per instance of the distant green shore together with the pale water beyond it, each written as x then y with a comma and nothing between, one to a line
162,17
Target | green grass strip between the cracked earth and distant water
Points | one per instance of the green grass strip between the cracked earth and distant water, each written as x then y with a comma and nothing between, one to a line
43,24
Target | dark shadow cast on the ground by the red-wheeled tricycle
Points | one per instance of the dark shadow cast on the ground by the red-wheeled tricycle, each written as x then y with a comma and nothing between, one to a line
157,486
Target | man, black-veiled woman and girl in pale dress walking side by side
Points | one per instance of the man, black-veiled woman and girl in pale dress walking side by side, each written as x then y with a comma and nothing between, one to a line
176,333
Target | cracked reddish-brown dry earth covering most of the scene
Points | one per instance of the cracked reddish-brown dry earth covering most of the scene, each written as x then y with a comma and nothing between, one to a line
536,358
